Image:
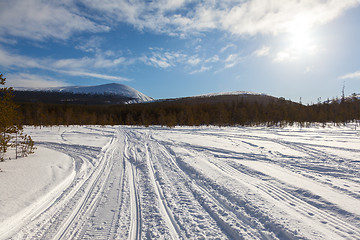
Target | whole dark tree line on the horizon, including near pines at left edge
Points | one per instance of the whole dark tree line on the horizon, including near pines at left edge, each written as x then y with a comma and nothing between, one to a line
240,110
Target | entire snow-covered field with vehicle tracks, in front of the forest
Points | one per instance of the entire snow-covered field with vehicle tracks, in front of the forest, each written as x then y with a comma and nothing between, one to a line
184,183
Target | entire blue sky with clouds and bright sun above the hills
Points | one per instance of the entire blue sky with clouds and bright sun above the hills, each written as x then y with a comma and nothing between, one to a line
175,48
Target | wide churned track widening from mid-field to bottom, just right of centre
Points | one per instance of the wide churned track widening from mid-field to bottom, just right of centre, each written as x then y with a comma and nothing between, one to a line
189,198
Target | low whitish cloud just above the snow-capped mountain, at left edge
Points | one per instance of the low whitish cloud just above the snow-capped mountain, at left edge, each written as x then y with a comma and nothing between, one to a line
32,81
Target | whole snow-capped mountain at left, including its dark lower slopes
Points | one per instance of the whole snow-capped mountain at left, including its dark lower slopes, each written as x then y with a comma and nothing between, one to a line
113,93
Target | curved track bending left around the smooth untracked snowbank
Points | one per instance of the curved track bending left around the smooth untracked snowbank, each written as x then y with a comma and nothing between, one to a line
45,224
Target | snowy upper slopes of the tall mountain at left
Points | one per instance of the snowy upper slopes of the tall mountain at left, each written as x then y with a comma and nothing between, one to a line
105,89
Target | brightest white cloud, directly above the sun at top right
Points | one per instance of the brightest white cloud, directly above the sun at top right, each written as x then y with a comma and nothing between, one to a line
274,17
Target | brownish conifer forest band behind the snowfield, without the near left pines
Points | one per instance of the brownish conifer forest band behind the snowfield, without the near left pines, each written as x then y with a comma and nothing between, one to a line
216,110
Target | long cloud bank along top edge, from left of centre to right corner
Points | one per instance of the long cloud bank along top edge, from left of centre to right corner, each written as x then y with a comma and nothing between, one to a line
237,17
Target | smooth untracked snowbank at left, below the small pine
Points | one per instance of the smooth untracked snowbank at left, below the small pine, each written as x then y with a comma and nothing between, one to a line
28,184
